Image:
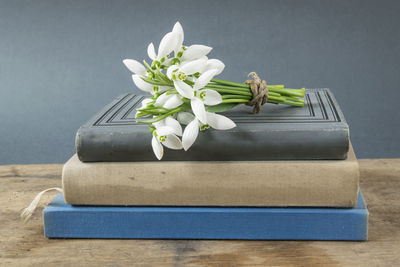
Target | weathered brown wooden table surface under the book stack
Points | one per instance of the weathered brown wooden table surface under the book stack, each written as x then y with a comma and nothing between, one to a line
24,244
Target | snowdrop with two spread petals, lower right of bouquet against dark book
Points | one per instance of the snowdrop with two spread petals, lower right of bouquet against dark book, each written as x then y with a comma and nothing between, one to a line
215,121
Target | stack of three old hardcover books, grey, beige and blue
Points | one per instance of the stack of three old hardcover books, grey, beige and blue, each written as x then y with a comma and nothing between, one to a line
286,173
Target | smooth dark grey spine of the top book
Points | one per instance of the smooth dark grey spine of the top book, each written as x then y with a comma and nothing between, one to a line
277,143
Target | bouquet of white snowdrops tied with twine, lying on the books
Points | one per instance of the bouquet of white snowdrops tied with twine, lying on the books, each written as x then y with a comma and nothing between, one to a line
184,92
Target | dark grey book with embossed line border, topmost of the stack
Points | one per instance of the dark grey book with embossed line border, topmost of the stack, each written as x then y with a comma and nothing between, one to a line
279,132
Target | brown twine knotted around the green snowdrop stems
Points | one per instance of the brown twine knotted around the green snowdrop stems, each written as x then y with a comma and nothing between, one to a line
260,92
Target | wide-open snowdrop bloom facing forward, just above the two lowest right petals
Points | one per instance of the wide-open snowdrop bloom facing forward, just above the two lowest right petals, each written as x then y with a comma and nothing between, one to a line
198,97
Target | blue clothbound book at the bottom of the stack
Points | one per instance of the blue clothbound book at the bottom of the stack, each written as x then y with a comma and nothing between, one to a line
62,220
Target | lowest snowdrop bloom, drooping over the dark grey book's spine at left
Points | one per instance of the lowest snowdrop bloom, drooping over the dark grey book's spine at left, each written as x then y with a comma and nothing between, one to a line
166,134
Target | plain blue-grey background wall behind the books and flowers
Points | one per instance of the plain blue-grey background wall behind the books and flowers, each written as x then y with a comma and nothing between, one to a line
60,61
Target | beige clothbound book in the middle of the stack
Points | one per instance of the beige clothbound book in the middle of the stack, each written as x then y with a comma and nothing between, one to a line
329,183
